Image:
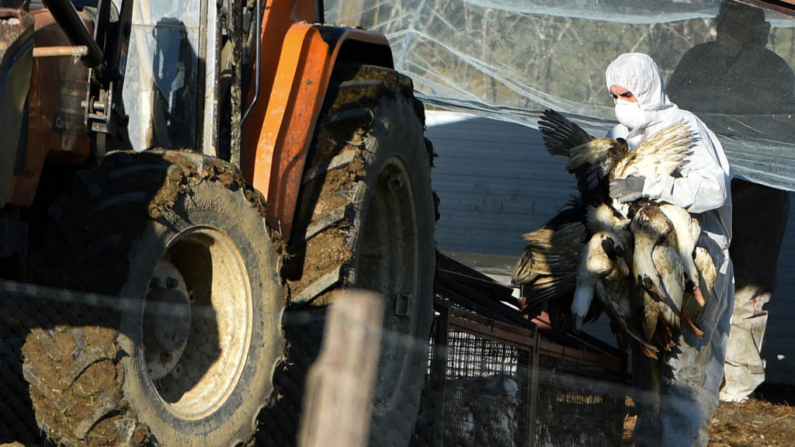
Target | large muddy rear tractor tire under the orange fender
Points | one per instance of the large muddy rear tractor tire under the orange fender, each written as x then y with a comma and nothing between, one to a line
366,220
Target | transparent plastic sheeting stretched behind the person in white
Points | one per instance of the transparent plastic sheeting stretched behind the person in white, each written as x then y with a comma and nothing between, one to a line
509,60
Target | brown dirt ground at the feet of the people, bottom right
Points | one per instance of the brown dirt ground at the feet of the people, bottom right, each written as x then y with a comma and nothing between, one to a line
759,422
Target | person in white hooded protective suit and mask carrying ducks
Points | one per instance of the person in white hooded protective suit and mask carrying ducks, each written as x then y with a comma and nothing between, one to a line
693,372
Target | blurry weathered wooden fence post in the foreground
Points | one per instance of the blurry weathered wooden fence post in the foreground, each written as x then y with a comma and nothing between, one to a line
339,385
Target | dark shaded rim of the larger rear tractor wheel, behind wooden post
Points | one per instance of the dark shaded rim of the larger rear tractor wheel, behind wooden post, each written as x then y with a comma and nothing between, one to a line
389,264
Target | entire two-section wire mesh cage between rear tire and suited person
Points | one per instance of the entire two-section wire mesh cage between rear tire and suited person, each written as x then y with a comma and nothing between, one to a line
499,384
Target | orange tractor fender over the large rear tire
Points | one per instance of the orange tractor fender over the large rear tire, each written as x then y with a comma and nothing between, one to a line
308,57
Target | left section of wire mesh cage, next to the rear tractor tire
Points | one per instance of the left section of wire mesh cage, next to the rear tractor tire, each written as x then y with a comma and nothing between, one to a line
479,381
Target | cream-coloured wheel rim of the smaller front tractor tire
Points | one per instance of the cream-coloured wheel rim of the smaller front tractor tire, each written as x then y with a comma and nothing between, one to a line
197,322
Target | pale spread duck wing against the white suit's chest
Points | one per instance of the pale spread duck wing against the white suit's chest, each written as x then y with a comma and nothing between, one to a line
662,153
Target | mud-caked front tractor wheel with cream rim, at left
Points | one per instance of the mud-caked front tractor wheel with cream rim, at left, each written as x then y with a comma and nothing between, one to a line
178,344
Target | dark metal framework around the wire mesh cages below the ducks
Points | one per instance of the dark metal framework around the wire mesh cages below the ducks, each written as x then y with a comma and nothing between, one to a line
458,287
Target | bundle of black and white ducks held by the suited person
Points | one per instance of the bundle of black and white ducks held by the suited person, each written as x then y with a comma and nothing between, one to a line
638,262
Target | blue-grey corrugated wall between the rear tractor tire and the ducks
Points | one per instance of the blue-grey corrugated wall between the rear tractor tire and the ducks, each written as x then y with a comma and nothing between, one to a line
495,181
